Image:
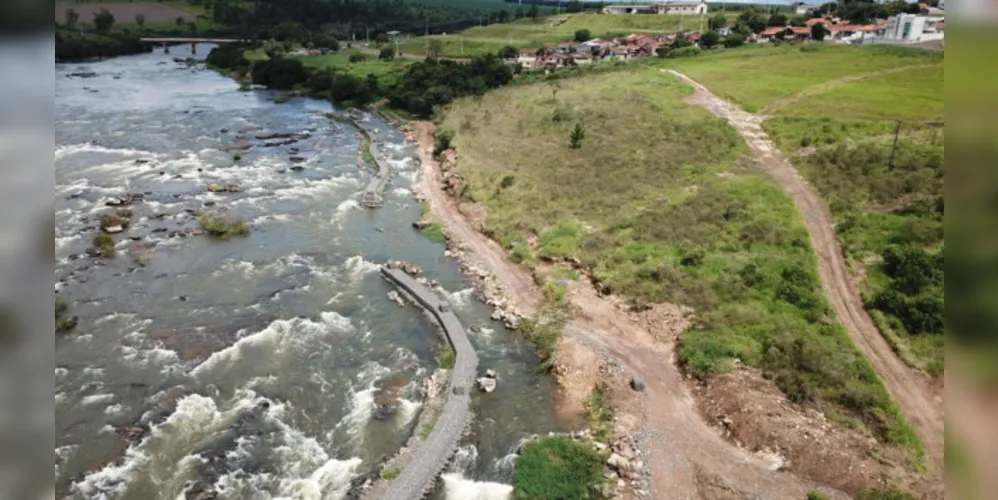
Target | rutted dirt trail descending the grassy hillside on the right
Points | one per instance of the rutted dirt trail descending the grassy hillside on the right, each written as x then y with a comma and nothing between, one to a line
909,388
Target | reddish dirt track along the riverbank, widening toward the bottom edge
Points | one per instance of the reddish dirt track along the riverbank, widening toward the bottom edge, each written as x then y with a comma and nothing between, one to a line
687,458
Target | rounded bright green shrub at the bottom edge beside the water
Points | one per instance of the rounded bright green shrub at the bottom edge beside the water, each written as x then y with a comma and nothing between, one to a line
557,468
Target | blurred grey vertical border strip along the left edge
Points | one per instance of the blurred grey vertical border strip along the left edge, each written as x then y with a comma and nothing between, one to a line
26,249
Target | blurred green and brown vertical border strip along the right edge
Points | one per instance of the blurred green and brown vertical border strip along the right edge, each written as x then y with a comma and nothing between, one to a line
972,250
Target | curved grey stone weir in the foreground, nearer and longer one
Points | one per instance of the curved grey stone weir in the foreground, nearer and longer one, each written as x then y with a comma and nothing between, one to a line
418,477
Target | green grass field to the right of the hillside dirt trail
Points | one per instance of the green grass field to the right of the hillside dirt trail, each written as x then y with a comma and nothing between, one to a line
839,135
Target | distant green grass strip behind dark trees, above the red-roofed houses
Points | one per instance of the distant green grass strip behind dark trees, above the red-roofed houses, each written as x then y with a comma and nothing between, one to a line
548,30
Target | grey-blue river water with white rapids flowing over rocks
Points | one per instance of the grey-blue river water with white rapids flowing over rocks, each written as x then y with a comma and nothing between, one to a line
253,364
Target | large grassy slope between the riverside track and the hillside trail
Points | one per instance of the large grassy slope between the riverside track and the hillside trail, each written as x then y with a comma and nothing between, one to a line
660,203
